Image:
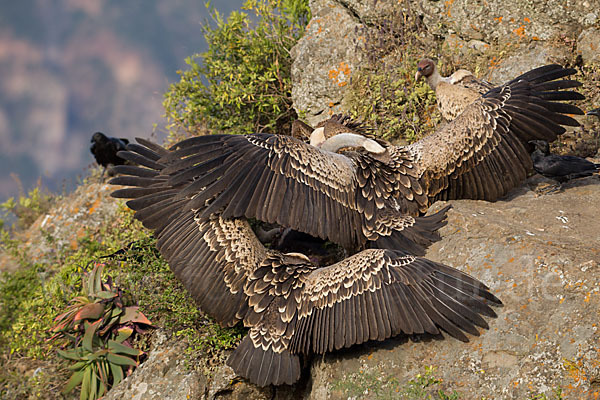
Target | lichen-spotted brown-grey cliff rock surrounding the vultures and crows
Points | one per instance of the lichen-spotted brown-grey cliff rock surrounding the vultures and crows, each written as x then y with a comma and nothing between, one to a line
539,254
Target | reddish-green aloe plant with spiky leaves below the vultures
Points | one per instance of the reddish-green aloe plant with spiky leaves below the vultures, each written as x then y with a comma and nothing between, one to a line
100,326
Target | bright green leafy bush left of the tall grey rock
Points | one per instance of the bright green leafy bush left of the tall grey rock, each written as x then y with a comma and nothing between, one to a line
242,84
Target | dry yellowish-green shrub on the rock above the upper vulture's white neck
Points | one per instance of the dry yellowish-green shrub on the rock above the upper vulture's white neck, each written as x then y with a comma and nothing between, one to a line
383,92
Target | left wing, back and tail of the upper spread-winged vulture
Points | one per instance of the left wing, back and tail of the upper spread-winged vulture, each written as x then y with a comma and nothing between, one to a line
348,199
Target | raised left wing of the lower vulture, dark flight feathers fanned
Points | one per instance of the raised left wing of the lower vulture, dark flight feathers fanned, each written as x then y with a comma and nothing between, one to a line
212,257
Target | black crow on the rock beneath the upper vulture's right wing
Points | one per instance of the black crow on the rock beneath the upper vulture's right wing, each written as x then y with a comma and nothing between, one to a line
560,168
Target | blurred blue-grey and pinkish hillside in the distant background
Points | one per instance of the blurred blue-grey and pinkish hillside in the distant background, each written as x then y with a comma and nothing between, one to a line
73,67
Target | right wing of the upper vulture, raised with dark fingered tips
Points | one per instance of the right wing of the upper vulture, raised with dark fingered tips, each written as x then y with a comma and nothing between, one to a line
483,153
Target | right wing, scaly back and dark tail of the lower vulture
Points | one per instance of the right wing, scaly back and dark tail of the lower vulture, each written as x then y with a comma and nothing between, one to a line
376,294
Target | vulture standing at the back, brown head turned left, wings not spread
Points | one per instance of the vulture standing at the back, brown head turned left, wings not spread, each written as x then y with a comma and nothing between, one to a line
453,93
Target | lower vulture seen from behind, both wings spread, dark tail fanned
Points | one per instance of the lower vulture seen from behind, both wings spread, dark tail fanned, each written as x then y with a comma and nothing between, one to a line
293,307
